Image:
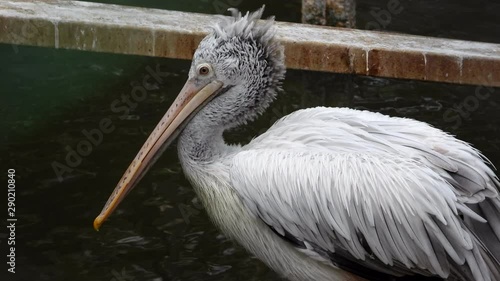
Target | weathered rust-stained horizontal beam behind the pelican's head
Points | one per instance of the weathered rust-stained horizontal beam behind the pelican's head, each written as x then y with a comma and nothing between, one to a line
162,33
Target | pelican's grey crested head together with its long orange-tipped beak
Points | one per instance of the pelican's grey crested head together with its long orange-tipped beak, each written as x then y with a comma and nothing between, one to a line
236,73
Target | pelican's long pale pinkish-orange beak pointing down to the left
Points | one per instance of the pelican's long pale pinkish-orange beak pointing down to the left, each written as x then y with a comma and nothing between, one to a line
190,99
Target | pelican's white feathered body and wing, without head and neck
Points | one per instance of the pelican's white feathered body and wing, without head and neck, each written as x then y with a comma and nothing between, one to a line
324,175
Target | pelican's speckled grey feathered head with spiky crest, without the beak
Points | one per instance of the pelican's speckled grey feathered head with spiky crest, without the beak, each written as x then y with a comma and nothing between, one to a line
242,57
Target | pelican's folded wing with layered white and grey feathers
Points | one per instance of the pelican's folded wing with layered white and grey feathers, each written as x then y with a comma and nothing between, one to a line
391,194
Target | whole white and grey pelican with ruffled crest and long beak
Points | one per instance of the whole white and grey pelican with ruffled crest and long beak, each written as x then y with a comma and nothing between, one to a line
325,193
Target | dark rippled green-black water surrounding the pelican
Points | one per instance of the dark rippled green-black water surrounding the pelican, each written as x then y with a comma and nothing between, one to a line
50,97
